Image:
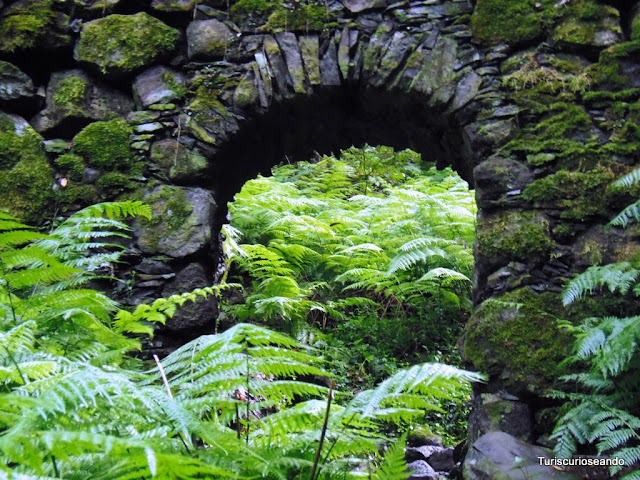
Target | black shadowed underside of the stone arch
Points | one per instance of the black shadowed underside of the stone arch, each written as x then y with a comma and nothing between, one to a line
332,119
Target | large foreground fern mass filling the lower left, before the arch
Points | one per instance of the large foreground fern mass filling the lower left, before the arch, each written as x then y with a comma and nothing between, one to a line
75,405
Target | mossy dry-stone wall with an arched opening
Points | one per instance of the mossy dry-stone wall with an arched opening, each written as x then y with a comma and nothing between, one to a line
179,102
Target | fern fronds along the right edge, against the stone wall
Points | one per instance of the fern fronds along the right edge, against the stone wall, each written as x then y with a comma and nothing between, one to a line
606,408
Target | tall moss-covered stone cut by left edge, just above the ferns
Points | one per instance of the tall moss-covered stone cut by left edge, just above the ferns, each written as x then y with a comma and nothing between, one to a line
25,174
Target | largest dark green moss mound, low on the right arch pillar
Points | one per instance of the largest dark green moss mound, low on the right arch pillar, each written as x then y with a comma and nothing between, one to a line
516,338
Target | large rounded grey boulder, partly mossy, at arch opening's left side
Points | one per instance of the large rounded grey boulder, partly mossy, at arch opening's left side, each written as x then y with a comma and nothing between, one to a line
180,224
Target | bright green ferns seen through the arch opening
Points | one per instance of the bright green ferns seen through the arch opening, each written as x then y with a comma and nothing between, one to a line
376,245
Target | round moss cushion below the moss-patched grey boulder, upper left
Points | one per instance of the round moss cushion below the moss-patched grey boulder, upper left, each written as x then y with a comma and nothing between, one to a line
105,145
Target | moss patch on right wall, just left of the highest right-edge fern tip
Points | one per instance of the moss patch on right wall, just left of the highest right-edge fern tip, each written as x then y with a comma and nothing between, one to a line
580,195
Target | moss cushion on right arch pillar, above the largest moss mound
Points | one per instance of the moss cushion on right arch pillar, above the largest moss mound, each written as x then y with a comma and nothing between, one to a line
514,235
